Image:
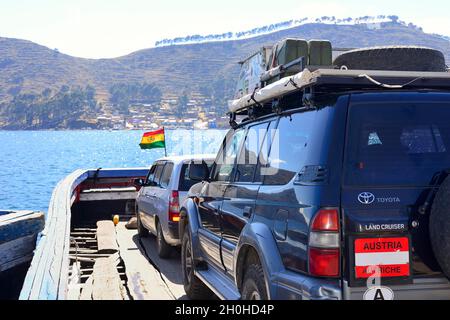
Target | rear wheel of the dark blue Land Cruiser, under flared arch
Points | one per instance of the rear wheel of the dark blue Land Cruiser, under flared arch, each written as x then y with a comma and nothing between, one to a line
254,286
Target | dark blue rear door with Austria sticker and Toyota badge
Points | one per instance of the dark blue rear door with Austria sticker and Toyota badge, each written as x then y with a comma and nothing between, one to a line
396,144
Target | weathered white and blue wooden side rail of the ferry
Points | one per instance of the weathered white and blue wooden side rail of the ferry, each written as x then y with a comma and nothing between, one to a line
47,277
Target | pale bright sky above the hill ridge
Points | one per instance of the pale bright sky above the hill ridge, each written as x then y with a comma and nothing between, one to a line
112,28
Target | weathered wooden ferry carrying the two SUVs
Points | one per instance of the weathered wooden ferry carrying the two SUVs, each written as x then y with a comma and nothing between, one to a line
82,254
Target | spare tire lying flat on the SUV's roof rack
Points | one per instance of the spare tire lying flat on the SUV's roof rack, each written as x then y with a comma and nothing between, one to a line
394,58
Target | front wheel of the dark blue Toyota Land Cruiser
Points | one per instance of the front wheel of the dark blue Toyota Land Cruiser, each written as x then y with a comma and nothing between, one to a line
195,289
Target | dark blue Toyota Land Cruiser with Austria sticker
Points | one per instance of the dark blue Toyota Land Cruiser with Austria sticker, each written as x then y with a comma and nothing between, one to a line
337,189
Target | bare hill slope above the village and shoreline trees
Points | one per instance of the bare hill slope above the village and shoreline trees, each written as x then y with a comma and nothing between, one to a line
205,68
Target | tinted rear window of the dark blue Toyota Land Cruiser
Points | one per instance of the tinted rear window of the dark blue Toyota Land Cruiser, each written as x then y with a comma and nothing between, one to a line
397,143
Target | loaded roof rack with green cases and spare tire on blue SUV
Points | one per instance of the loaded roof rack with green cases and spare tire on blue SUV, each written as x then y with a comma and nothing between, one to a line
295,66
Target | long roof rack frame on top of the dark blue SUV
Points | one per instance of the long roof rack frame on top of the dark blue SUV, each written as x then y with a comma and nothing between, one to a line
337,77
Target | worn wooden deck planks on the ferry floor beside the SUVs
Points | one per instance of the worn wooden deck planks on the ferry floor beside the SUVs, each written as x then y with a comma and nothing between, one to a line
112,263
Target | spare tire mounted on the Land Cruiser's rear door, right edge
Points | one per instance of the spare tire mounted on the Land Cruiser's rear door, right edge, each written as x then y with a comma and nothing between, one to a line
440,227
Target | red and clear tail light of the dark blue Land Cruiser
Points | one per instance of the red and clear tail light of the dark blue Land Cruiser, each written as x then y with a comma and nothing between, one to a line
324,243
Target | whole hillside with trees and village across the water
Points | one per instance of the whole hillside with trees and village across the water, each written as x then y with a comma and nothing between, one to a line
181,83
